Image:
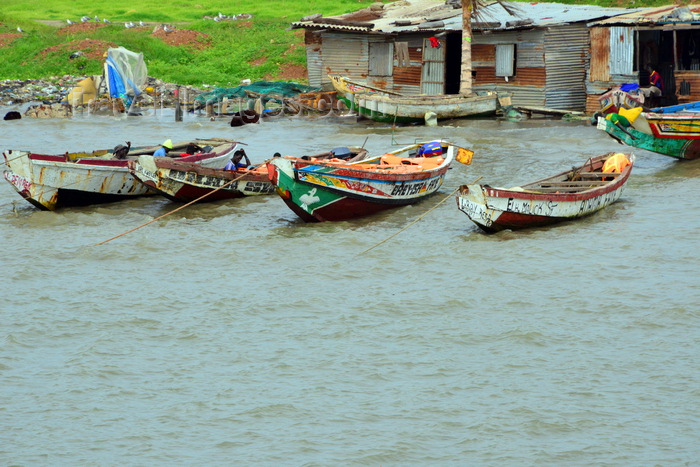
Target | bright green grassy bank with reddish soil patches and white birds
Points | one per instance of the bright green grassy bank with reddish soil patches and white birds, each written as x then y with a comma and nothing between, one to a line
197,50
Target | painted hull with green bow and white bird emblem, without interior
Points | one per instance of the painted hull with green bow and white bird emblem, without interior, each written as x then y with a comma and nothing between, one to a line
319,192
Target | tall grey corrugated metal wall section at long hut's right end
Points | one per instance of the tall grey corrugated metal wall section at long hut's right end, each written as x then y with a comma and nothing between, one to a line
567,57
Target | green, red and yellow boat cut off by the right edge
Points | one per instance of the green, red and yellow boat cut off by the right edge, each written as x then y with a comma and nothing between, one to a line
673,131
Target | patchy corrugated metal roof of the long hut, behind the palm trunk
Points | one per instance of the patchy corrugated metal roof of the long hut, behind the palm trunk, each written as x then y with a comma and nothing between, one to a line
410,16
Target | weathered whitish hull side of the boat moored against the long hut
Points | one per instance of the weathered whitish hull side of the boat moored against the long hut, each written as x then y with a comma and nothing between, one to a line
413,109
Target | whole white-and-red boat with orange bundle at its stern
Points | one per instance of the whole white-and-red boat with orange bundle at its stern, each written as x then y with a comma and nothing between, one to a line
568,195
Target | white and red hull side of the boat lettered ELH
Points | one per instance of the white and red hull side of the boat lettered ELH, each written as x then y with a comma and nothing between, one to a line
495,209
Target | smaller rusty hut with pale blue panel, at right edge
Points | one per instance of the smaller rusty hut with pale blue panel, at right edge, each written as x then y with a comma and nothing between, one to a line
667,37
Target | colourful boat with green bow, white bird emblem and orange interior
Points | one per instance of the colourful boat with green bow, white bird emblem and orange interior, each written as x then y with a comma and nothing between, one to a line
336,190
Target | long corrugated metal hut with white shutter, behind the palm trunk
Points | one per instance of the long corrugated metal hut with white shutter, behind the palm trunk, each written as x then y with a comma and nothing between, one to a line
539,51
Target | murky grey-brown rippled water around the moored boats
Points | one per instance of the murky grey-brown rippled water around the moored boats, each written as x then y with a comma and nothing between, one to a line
233,333
